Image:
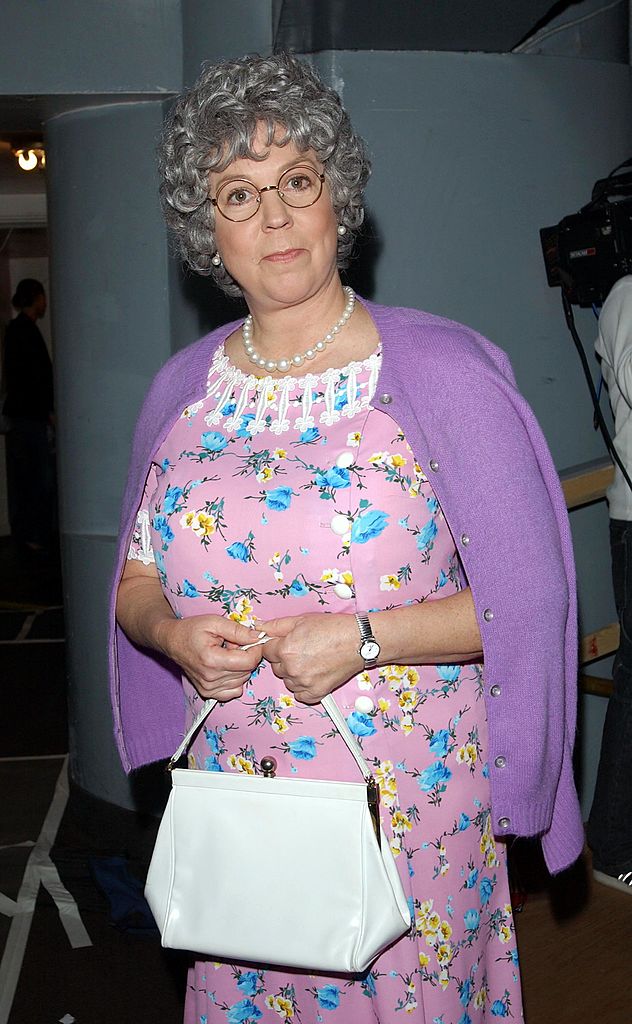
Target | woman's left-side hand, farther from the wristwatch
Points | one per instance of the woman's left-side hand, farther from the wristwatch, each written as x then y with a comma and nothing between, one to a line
198,645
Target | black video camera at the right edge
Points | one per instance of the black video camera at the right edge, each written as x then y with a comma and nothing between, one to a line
588,251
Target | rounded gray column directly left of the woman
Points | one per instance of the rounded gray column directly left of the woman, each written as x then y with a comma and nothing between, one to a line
110,297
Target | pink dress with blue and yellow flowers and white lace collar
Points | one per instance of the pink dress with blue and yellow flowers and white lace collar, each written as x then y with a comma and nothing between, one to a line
277,498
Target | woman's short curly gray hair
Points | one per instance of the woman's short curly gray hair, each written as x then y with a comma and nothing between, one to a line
216,123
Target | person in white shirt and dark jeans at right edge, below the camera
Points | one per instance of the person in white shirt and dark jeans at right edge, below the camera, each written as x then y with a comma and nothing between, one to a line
610,825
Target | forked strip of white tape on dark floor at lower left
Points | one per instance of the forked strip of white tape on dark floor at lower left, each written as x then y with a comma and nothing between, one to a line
40,871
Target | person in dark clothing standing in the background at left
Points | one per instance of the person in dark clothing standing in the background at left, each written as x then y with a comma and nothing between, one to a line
29,412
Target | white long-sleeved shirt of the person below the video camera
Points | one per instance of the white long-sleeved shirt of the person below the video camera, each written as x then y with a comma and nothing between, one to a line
614,345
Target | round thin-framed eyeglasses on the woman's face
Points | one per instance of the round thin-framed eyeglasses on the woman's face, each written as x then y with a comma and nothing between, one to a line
239,199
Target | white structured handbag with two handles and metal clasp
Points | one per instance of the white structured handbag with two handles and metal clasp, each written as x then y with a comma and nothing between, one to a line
287,872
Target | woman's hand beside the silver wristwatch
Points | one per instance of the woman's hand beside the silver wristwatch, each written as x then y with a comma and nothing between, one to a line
314,654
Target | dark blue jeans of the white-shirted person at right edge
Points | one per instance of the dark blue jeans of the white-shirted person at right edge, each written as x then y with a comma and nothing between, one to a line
610,825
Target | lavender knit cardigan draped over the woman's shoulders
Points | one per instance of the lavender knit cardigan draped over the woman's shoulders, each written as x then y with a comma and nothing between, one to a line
454,395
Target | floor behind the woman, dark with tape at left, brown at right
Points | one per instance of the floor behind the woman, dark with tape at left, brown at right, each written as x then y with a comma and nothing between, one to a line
75,944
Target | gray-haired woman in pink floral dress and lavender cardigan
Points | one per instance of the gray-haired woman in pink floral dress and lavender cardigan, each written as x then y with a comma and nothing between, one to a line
366,486
